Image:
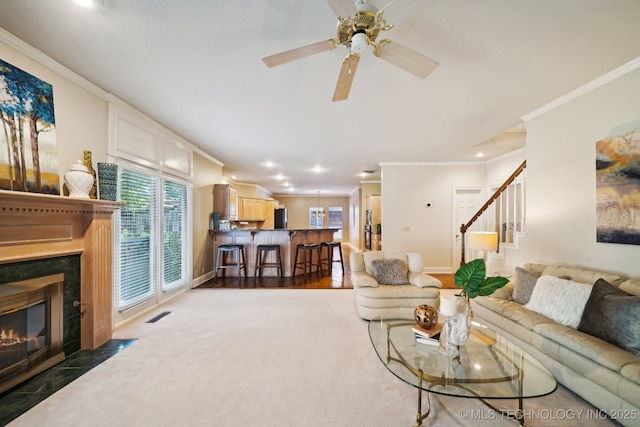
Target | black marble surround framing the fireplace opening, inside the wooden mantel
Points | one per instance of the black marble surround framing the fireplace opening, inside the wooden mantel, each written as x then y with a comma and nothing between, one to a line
70,267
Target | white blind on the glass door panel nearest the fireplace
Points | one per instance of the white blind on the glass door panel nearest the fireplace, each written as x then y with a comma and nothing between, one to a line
138,219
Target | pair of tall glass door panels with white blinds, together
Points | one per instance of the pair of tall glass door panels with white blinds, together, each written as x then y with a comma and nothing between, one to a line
155,215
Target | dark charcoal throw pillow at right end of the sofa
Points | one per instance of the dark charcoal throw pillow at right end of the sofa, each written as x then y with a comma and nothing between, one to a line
613,315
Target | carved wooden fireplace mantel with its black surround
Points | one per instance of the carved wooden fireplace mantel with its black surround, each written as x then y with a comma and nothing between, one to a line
38,228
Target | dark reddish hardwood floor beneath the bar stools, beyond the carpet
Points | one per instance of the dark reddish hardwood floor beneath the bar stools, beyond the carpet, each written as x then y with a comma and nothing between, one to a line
337,280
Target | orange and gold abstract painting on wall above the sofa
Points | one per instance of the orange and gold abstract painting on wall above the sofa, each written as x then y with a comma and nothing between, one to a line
618,189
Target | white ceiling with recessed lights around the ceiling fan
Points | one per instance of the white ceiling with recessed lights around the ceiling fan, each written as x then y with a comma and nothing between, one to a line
195,66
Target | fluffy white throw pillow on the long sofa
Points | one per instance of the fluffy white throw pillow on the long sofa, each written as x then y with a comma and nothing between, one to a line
560,300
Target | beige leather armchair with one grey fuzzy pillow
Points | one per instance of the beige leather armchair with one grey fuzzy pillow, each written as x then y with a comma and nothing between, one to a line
411,286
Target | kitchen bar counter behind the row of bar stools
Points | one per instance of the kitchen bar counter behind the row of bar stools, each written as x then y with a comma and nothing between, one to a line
287,239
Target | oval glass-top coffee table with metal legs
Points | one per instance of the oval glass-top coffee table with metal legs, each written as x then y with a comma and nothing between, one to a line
488,366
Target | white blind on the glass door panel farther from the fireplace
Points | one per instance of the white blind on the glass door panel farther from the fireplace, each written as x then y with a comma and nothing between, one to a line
174,226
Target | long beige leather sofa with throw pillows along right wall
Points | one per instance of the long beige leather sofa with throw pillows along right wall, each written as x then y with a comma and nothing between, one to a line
605,374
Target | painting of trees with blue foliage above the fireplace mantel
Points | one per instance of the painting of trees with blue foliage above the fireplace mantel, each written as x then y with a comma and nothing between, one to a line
28,148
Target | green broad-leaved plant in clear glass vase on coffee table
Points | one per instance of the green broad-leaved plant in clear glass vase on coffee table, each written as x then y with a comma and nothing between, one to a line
472,280
